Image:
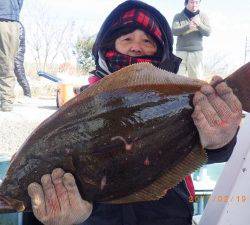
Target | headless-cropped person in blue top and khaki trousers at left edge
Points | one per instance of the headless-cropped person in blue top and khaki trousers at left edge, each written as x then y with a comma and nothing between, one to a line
9,34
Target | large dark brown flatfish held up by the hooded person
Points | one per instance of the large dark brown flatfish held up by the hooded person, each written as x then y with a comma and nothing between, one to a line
128,138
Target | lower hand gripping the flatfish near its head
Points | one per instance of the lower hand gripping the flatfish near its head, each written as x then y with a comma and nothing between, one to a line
57,201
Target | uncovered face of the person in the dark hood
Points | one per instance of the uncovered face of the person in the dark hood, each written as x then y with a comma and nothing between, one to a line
137,43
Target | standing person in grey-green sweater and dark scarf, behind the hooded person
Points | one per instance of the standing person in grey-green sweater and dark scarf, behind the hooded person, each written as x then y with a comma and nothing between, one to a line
190,26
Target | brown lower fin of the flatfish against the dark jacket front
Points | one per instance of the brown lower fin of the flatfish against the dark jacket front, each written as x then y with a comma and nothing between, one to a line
159,187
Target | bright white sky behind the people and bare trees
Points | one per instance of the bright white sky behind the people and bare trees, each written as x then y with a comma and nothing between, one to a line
230,20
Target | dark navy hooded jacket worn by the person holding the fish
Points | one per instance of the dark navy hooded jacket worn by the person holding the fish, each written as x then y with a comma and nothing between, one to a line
176,208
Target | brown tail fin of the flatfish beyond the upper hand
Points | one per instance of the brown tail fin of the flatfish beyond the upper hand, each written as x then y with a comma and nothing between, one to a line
239,81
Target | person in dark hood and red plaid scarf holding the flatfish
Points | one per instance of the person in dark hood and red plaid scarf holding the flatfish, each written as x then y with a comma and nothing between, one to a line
135,32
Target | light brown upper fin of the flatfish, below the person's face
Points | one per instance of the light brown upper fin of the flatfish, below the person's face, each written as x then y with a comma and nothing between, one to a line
138,75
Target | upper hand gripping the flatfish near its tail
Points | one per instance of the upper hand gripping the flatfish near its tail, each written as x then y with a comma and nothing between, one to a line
217,114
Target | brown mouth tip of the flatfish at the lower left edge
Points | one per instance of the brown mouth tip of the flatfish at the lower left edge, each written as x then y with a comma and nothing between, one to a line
8,205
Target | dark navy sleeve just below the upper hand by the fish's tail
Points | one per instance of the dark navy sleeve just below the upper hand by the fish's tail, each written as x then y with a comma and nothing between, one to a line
221,154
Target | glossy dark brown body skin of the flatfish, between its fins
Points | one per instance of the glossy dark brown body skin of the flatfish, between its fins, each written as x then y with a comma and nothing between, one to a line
79,141
